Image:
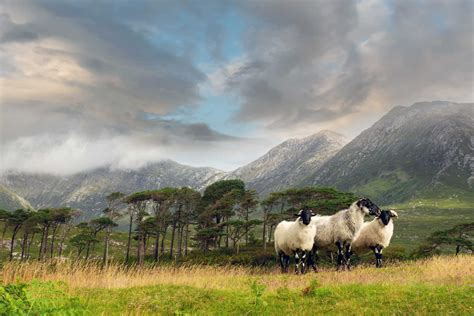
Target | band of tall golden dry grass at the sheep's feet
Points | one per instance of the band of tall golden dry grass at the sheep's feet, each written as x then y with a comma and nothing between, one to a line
457,270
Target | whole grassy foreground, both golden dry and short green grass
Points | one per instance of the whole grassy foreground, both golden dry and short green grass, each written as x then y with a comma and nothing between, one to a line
441,285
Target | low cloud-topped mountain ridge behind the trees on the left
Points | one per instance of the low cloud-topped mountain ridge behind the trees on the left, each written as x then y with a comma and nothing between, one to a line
87,190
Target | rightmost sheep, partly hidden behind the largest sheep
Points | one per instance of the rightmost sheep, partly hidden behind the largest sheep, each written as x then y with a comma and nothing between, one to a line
375,235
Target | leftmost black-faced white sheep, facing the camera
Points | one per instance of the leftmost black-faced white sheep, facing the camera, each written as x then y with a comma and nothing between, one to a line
295,238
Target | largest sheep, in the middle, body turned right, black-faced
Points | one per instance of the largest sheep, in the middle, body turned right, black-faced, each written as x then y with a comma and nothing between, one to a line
339,230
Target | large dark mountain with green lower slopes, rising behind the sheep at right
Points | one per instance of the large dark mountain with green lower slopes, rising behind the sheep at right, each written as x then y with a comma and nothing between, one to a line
426,149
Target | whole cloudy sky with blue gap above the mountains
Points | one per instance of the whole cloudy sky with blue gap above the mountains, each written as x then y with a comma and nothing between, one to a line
86,84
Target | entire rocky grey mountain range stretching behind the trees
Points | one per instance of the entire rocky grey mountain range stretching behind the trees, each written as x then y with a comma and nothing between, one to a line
423,150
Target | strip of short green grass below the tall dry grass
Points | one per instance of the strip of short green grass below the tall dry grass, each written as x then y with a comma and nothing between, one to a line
54,298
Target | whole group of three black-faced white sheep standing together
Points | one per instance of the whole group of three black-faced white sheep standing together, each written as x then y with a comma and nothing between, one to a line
346,231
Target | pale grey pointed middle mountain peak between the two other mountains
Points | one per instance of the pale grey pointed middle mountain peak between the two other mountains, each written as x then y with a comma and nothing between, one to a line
290,162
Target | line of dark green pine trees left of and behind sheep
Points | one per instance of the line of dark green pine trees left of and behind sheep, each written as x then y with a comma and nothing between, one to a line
171,221
